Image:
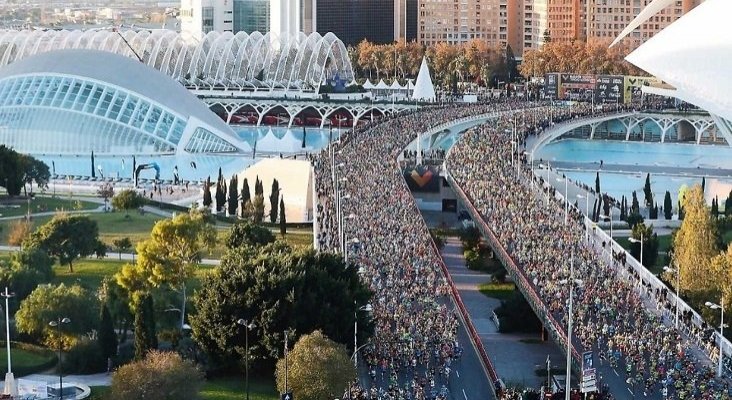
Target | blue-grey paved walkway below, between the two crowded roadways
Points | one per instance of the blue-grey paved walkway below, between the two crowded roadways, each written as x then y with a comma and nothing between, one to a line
515,361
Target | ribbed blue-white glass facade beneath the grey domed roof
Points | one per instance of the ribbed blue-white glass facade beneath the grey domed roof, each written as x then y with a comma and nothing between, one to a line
65,114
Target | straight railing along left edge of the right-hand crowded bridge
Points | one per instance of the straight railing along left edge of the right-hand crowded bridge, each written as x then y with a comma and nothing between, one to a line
517,274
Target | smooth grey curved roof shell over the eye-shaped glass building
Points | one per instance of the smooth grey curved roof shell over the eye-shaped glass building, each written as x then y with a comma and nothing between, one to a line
120,71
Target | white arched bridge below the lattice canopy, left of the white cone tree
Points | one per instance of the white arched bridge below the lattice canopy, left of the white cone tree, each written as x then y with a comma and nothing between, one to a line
290,111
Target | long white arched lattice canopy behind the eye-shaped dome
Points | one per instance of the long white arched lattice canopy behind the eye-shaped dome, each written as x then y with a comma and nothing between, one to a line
241,61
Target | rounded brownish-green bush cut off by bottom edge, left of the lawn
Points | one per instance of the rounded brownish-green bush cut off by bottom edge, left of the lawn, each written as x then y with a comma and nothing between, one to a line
161,375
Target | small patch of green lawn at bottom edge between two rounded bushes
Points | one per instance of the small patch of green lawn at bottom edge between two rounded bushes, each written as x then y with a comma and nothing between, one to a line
233,388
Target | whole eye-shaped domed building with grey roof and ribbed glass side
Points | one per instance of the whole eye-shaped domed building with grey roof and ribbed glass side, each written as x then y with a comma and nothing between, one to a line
79,101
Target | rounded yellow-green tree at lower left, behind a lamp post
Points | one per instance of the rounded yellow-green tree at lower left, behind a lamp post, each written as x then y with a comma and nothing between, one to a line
46,303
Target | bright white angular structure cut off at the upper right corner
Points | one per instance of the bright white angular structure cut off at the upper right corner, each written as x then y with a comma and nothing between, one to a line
694,55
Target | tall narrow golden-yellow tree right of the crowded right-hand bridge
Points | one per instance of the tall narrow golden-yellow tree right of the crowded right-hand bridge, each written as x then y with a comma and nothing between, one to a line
695,244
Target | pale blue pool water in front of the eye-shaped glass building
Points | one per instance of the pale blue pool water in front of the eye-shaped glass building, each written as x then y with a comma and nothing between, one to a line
270,142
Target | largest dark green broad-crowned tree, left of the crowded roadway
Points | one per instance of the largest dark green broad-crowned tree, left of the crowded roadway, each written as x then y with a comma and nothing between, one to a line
277,287
